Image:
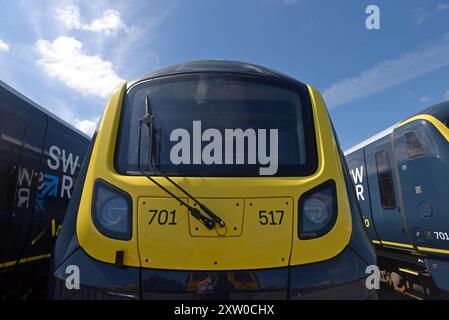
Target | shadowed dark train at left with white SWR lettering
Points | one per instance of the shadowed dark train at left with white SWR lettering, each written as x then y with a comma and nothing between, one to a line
40,157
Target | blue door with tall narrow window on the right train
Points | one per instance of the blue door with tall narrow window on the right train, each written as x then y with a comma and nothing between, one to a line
383,188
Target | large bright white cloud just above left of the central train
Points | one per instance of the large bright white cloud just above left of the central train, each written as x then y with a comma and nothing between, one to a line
64,59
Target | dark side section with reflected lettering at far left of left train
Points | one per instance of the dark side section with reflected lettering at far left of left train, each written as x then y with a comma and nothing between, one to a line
22,138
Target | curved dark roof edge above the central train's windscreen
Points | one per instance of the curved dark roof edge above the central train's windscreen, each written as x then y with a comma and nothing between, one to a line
231,66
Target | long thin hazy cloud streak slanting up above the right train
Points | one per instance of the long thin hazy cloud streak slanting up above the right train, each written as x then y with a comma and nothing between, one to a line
389,73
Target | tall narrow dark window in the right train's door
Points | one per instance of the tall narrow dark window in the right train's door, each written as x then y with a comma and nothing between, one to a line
387,196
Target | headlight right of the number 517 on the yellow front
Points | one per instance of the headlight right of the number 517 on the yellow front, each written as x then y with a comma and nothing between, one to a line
317,211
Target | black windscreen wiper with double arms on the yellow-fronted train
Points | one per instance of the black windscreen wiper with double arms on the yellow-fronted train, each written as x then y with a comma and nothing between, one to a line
148,120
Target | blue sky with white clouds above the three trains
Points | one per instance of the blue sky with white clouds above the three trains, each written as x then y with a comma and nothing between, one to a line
68,56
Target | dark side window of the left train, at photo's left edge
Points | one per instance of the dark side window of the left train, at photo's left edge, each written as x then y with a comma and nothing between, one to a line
12,132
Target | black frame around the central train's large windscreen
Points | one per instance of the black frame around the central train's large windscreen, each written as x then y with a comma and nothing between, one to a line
308,115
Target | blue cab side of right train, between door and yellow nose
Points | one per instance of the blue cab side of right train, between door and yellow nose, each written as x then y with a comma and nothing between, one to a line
423,167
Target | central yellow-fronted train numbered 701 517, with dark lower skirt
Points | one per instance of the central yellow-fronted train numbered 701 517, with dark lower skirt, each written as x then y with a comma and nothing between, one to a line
213,180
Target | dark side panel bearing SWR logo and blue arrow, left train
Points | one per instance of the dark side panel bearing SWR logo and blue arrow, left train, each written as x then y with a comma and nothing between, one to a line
61,160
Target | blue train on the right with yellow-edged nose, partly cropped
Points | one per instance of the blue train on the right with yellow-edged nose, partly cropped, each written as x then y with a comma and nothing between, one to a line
401,178
